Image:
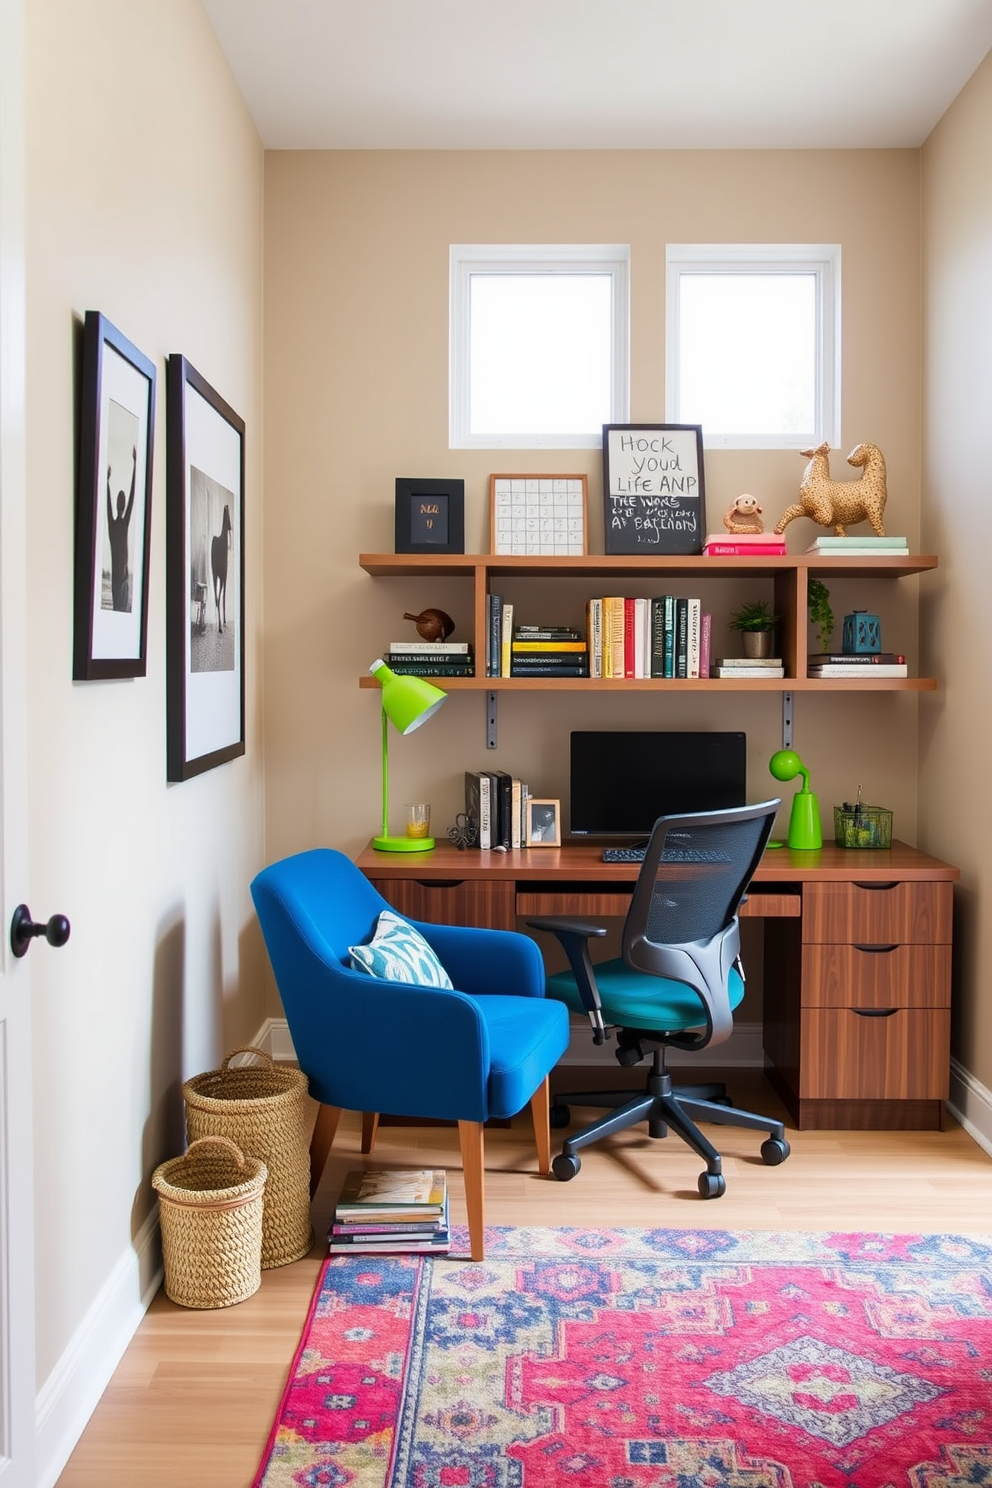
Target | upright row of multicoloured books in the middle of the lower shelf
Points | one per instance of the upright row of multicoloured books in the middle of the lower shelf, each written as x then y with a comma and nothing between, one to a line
666,636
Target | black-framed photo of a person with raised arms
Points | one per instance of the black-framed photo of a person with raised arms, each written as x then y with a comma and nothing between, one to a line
114,505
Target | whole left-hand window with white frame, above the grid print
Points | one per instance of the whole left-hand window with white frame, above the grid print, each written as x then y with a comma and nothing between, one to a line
539,346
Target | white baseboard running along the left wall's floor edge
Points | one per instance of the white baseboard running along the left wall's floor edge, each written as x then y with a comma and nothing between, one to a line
71,1394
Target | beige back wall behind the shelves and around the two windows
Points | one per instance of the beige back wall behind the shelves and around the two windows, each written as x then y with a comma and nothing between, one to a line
356,394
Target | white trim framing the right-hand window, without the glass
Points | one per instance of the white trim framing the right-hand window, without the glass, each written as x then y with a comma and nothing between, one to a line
822,260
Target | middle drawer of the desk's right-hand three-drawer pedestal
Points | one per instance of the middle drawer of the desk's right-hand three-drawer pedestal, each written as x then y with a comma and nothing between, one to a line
884,975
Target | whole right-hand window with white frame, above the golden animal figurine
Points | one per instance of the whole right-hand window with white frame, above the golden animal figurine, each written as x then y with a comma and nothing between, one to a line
753,347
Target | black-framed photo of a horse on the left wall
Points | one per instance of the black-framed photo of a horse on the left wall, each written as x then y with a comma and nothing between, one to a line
204,583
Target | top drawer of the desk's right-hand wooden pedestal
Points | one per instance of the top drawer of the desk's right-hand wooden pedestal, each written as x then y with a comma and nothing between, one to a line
877,914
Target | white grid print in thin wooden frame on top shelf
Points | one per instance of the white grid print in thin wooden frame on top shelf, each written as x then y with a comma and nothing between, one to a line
542,516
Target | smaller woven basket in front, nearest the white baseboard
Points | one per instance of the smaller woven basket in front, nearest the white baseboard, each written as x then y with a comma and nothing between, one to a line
210,1209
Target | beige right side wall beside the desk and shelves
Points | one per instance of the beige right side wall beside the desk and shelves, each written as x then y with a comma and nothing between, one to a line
959,458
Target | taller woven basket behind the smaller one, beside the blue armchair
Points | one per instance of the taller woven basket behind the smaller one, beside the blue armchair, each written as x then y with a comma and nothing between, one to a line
267,1112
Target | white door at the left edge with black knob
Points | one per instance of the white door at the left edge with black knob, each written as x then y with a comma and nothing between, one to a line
17,1251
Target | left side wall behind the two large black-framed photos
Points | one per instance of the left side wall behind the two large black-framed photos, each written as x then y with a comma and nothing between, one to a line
145,202
